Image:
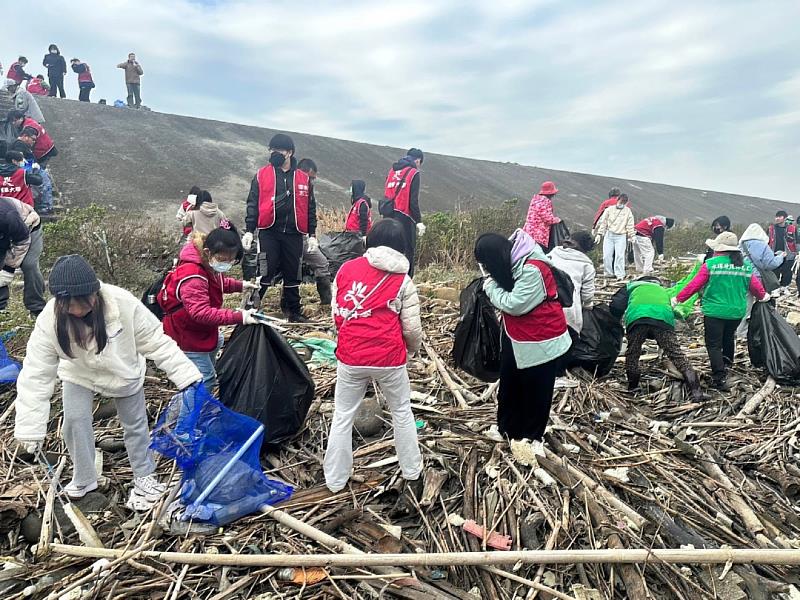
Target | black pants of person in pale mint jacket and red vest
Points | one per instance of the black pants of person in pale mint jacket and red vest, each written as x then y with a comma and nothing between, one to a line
524,396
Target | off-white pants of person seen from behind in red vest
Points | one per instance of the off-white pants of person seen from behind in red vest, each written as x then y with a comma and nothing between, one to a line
351,384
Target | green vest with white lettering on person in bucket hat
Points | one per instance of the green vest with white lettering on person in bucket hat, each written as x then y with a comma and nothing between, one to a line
725,294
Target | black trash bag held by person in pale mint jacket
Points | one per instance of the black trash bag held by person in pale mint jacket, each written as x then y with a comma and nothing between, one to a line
476,349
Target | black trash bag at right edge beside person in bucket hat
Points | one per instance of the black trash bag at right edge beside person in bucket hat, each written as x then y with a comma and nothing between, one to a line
773,343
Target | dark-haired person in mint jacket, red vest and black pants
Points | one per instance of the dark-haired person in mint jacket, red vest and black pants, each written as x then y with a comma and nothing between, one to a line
521,285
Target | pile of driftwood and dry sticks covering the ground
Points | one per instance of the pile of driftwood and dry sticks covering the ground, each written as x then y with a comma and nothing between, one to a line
625,474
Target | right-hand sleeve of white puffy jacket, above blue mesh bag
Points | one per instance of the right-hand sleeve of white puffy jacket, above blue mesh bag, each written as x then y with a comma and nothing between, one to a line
155,345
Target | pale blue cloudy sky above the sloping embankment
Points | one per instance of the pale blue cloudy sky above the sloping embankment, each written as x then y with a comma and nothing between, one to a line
703,94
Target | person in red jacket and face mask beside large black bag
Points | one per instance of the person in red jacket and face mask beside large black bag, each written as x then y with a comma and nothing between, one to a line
192,297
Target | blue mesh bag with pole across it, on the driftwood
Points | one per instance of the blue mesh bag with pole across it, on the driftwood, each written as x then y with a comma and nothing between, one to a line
203,437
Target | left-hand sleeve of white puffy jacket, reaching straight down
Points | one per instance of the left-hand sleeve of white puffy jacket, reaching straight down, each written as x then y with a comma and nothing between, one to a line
36,383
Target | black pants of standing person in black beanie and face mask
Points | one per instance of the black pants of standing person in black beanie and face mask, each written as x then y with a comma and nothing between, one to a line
281,253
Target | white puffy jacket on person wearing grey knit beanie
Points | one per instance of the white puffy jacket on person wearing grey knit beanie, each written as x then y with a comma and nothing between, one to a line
134,334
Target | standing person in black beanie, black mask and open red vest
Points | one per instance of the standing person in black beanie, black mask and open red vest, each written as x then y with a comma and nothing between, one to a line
281,209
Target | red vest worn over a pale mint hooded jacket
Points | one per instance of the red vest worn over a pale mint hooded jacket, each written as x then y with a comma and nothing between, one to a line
546,321
